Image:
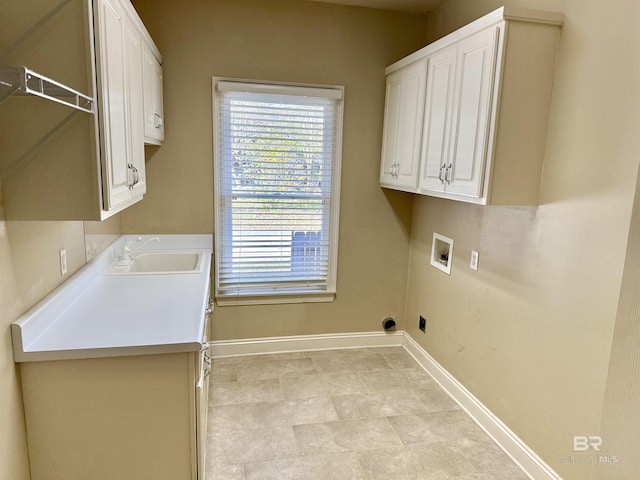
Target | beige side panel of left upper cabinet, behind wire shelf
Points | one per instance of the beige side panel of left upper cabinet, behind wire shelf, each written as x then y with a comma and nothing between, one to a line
48,165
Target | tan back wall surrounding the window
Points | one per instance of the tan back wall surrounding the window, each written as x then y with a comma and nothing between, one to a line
288,41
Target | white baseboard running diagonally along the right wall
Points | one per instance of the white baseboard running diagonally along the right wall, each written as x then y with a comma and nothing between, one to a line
508,441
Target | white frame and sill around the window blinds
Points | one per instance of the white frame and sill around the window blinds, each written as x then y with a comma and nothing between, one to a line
259,297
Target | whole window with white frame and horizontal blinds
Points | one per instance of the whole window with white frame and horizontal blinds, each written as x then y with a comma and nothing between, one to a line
277,186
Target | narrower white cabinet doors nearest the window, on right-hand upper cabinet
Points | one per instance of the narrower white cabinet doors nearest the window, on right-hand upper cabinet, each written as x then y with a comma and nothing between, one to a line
404,109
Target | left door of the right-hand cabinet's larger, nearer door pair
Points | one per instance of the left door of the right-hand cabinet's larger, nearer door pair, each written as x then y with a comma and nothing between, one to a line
437,118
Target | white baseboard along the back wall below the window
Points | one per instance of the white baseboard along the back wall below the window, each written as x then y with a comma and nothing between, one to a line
257,346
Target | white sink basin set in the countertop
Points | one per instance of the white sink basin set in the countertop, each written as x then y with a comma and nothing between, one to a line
158,263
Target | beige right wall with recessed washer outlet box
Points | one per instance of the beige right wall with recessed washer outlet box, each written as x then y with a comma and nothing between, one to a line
530,333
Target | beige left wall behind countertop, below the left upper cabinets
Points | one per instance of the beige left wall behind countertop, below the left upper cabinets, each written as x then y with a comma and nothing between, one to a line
29,270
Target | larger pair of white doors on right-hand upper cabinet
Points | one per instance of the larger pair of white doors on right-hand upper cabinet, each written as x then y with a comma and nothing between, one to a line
458,105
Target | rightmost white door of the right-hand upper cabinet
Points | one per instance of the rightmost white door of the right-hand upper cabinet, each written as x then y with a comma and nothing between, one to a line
471,113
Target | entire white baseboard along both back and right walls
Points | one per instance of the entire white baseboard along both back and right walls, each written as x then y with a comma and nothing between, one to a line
508,441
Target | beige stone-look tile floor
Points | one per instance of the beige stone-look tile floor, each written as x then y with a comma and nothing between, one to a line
339,415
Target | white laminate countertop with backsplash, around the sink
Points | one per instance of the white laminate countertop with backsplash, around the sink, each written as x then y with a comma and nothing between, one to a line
96,315
